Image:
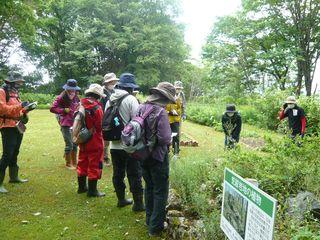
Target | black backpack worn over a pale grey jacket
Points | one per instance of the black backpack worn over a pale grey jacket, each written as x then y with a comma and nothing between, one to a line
112,122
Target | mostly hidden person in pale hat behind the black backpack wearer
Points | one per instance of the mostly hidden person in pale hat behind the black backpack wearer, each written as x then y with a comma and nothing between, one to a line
109,82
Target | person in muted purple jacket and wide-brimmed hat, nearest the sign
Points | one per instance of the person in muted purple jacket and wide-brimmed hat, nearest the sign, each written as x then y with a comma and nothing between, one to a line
155,169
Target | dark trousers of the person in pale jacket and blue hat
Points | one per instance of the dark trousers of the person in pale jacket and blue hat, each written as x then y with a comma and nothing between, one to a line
122,164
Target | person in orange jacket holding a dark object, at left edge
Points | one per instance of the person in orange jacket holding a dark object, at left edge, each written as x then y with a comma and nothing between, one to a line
13,116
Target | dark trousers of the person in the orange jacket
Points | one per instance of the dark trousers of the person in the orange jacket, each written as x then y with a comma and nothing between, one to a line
11,142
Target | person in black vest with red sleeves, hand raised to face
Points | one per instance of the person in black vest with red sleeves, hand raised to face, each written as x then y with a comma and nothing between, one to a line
296,117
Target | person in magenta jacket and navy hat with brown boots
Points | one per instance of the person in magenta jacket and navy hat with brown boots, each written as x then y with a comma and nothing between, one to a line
64,107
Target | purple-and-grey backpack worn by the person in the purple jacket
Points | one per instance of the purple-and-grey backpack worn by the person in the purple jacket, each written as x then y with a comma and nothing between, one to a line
133,137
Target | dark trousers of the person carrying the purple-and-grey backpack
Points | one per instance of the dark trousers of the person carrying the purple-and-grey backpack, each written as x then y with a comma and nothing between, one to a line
156,177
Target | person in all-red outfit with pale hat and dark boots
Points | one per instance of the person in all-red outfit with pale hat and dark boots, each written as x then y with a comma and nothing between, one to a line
91,154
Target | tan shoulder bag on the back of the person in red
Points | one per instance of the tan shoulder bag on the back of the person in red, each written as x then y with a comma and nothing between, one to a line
80,133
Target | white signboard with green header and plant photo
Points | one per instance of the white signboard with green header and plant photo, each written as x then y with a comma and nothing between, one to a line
248,213
